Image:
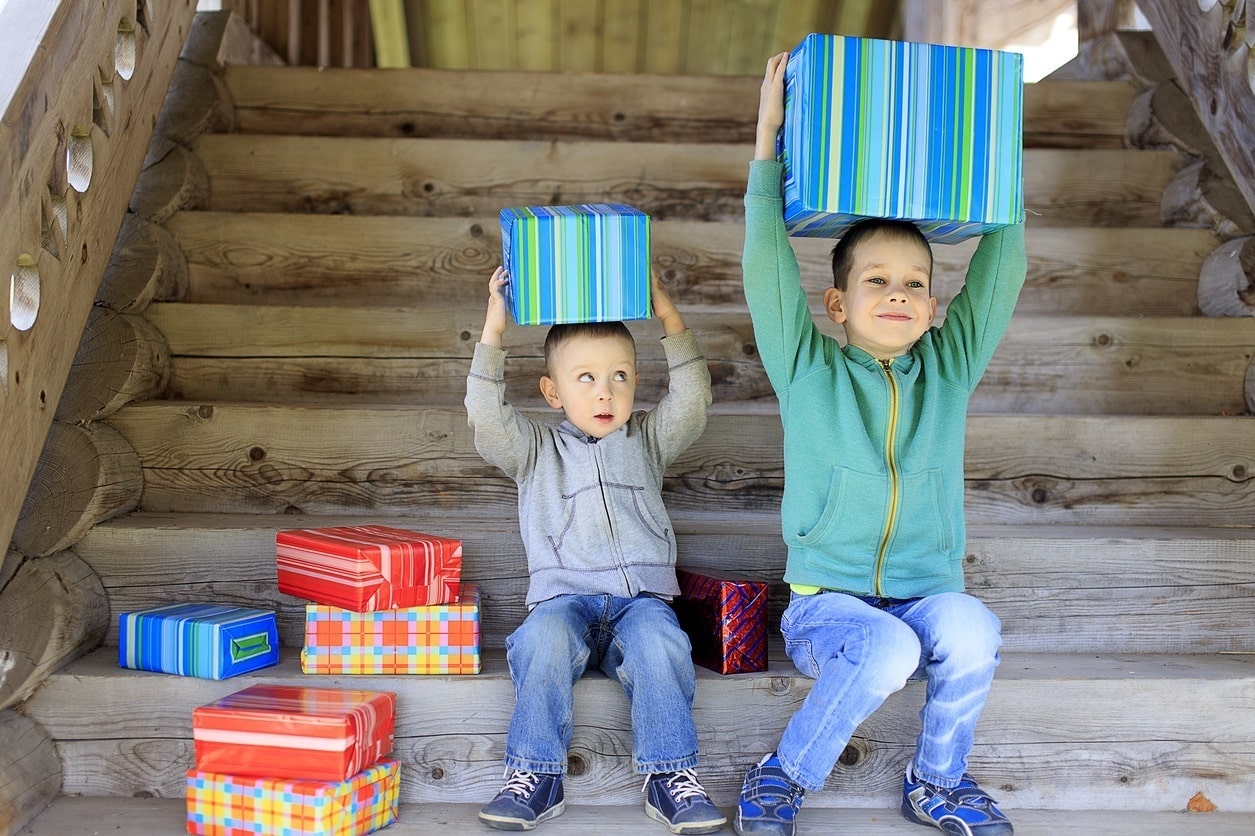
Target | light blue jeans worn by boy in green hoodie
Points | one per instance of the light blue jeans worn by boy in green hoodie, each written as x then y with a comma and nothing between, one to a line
862,651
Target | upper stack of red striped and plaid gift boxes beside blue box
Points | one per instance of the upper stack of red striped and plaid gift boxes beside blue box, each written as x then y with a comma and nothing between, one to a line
383,601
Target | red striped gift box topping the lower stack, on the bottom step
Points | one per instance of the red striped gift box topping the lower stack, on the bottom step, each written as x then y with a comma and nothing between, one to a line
293,732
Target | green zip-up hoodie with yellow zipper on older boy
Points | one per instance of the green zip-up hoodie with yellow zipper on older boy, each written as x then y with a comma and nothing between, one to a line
874,475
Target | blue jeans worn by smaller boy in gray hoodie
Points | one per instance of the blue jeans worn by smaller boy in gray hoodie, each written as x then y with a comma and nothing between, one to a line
638,643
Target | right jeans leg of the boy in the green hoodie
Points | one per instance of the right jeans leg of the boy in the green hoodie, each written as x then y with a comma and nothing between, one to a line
959,641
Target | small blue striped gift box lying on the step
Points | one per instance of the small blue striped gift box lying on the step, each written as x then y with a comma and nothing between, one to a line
208,641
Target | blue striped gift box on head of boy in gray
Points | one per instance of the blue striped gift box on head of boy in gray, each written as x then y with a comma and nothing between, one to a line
577,264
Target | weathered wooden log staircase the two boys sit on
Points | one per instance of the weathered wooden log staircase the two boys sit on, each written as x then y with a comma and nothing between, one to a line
323,242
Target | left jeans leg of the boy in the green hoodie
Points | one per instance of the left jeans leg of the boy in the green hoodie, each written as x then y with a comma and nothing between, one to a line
858,656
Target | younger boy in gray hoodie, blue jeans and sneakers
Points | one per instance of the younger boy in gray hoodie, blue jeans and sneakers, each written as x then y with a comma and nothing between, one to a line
602,557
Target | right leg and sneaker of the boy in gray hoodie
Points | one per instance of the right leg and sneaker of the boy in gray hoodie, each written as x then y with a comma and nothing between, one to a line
651,657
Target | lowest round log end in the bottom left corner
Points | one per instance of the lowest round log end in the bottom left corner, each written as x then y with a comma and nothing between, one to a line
31,771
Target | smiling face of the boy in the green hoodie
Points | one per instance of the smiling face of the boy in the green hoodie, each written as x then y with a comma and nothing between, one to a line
887,306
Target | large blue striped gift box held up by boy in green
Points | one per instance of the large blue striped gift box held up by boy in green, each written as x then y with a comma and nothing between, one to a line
879,129
